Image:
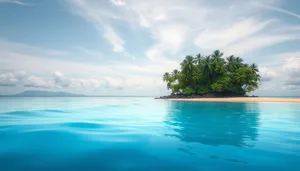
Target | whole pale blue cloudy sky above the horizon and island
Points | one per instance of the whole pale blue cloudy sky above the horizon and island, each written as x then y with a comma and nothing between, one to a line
122,47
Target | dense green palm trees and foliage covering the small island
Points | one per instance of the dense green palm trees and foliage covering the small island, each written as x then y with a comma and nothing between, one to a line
213,74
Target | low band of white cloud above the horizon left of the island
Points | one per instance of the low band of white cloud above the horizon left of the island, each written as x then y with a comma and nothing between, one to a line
142,78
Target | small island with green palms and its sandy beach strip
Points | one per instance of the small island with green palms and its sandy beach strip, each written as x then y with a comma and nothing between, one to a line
215,78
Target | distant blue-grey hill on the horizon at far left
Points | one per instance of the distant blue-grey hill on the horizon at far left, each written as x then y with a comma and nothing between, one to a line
46,94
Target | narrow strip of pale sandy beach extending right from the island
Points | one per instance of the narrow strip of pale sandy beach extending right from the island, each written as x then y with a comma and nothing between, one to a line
243,99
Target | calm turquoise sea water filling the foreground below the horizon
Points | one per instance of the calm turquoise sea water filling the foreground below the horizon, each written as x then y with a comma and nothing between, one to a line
60,134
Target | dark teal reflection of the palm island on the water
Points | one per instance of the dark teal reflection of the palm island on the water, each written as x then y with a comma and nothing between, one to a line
234,124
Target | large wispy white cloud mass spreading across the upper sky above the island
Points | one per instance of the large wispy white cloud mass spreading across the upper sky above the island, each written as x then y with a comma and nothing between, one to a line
176,25
